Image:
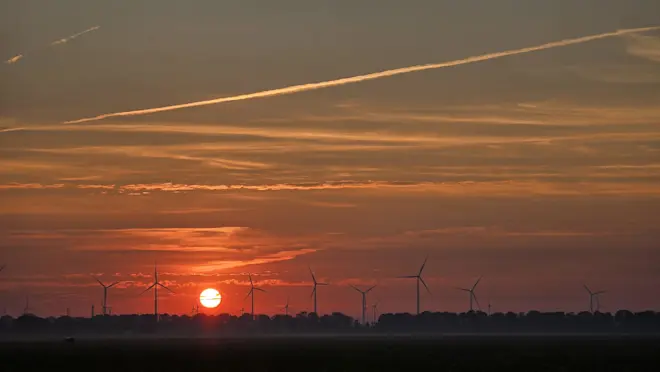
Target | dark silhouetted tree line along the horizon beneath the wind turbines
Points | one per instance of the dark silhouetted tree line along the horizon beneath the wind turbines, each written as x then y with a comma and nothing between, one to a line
622,321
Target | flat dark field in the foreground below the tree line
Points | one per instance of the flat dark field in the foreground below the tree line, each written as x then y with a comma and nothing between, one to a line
338,354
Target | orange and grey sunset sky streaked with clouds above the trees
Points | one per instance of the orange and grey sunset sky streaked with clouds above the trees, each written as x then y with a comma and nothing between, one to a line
538,171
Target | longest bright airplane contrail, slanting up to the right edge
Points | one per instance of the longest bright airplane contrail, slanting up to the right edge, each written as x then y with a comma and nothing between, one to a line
359,78
